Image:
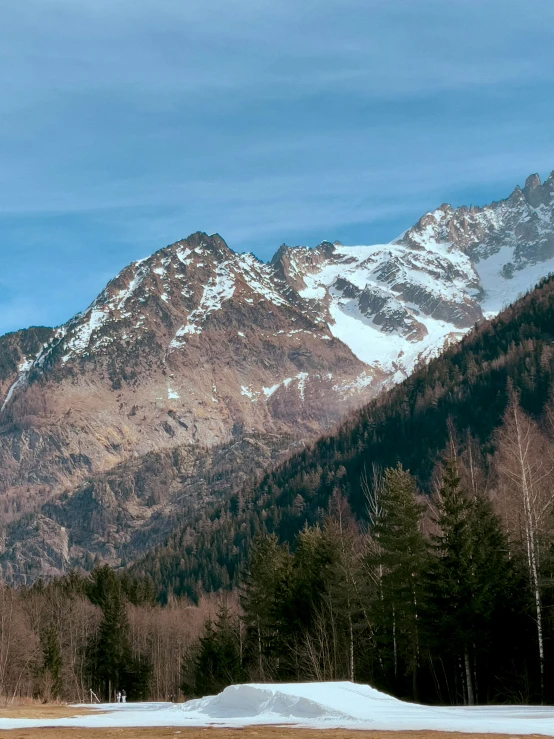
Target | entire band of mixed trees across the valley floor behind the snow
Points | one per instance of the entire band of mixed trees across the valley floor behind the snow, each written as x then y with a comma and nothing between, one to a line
441,595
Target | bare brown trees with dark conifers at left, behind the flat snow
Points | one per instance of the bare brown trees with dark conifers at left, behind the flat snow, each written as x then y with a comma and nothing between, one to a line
83,637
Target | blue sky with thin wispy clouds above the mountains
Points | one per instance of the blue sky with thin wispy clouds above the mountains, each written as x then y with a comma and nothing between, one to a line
128,124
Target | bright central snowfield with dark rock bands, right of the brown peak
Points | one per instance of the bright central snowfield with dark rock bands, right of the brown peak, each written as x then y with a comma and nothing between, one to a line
393,307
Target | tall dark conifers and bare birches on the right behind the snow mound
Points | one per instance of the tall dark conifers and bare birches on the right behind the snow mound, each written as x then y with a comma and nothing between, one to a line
443,598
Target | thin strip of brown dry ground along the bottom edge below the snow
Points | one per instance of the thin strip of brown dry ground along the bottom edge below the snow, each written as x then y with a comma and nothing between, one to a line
259,732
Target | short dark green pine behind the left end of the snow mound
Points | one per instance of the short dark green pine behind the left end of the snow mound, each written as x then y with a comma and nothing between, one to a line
218,663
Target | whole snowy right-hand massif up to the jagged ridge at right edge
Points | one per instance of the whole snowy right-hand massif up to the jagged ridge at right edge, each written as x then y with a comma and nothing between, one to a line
398,304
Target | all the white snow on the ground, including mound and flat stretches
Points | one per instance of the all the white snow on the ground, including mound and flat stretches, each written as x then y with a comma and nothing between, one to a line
311,705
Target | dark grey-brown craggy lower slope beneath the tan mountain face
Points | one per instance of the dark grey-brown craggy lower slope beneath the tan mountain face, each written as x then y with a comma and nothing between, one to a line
117,516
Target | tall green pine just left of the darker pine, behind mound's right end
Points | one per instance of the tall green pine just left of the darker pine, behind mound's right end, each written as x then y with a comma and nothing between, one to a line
399,559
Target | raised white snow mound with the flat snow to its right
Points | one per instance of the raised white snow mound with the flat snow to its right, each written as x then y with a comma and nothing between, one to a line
348,705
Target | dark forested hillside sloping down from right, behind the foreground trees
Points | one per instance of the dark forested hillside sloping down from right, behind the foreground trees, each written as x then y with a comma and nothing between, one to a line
465,391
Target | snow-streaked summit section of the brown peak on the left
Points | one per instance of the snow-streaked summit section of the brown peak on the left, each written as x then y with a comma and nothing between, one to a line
178,291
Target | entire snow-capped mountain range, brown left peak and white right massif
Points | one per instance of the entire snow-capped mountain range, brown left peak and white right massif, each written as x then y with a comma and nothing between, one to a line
197,345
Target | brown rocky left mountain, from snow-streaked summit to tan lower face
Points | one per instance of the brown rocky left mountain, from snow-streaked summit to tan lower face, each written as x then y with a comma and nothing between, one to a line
195,345
